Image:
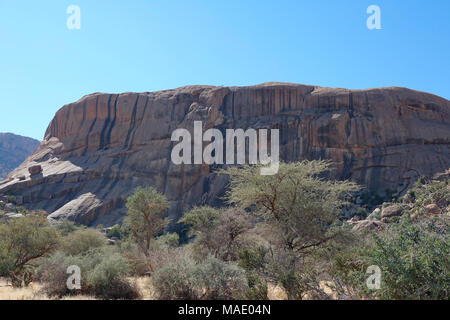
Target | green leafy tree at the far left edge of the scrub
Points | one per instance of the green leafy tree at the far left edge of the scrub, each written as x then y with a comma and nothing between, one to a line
23,241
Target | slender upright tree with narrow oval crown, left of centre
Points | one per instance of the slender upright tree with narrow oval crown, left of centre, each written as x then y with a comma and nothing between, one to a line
145,218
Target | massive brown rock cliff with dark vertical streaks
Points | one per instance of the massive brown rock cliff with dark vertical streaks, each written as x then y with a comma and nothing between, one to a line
98,149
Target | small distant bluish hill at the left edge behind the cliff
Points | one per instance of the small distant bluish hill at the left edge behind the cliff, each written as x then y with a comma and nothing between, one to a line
14,150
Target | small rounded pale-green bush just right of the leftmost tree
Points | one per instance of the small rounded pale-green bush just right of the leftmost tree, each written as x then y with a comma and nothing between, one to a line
82,240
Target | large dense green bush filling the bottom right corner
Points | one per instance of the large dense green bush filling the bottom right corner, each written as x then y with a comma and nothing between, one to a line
414,259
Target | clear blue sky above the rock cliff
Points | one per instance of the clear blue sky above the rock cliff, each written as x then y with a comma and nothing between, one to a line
146,45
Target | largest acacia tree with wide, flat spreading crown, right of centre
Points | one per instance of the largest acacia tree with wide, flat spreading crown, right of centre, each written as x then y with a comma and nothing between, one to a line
299,206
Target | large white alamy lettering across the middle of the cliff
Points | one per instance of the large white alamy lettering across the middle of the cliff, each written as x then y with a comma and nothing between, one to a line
216,152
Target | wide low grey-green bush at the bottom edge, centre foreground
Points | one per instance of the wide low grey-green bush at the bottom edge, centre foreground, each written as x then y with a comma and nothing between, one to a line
210,279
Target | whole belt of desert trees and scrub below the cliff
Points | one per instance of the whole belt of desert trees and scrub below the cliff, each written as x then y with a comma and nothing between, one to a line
295,231
